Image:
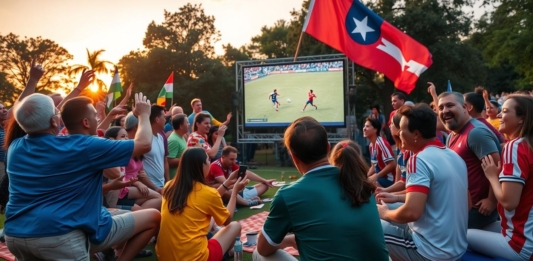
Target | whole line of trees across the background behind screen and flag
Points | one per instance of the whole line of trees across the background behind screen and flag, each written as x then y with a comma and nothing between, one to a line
494,51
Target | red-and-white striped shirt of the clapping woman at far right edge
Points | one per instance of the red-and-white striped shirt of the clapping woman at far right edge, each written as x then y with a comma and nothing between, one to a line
517,225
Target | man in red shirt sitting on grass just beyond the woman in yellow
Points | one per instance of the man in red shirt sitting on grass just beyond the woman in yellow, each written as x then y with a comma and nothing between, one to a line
223,167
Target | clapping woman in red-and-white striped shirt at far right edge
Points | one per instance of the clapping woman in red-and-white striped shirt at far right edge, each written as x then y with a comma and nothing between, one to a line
510,181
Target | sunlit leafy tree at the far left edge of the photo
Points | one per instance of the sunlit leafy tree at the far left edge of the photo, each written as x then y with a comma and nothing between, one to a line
15,60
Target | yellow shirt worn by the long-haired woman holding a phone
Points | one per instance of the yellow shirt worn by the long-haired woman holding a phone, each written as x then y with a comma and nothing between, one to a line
183,236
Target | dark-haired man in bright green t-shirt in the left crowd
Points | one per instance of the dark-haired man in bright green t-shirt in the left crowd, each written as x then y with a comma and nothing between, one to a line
176,142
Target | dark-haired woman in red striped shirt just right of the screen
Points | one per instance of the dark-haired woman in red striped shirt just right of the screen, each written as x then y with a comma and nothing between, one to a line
381,155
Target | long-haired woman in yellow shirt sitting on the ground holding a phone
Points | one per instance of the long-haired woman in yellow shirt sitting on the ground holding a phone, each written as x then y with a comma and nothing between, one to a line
187,208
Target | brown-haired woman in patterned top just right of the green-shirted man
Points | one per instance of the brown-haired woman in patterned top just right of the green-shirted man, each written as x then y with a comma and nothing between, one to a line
200,128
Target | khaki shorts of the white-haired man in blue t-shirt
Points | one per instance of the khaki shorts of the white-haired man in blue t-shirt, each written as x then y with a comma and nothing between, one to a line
74,245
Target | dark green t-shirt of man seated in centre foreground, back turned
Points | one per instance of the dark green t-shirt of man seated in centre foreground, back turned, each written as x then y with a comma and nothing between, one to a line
325,224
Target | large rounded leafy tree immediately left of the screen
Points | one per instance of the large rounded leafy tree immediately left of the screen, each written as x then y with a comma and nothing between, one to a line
183,44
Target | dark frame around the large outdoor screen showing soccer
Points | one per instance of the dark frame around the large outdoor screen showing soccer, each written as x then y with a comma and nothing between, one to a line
282,125
